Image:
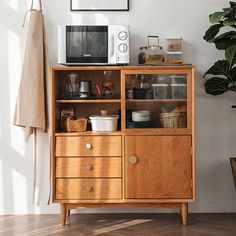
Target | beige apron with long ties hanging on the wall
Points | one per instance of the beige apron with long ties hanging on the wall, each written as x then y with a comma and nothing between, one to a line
31,110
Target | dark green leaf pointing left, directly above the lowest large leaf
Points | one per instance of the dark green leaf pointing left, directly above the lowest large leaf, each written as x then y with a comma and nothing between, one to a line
219,68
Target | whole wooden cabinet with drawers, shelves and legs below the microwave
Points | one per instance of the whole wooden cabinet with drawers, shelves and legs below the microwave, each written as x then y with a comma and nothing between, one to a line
142,164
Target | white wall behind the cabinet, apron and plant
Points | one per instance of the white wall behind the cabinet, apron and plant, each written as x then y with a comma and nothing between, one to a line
216,129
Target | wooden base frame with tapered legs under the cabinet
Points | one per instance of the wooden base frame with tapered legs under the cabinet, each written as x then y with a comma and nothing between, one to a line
66,208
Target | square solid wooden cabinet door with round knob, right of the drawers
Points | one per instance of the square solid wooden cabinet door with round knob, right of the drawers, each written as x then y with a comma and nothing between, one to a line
163,168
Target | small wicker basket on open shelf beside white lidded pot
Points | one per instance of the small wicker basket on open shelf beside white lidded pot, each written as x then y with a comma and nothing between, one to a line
75,125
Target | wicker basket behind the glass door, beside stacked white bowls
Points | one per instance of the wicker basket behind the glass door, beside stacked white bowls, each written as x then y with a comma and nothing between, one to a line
173,120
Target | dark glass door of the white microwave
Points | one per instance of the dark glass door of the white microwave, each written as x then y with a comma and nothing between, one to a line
87,45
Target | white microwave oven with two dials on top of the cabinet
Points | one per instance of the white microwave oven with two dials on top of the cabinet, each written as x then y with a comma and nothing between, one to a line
93,45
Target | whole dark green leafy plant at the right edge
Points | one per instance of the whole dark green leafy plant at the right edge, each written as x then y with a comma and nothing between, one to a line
221,77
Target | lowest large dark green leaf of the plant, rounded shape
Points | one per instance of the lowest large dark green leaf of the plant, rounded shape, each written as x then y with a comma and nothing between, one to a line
216,86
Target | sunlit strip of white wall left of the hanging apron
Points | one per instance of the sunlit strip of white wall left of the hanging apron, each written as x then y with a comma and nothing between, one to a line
16,177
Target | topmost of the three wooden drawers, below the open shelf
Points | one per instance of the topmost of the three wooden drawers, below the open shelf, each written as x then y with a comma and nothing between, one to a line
88,146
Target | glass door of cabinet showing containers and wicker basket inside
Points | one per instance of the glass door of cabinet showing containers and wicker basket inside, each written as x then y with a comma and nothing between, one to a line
156,100
